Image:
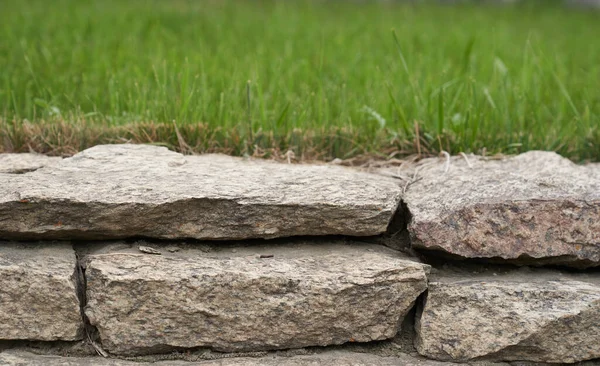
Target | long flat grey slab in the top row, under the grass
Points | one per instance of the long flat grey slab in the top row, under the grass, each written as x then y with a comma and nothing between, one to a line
118,191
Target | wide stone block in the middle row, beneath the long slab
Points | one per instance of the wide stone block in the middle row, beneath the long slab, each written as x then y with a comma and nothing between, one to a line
248,298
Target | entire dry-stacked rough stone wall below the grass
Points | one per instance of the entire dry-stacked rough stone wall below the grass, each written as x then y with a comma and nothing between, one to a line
129,253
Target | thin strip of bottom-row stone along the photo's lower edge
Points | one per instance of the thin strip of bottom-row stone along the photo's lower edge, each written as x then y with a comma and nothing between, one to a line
332,358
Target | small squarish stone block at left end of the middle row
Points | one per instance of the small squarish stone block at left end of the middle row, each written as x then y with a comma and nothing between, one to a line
38,292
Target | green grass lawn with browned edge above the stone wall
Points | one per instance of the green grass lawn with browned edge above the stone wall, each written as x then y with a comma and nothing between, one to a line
325,79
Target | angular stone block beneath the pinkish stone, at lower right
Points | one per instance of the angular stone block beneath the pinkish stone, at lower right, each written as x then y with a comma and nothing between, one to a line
531,315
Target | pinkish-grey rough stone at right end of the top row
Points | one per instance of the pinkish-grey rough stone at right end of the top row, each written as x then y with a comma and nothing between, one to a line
536,207
